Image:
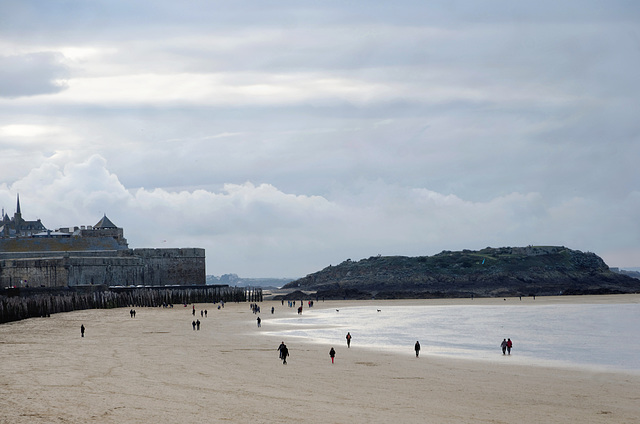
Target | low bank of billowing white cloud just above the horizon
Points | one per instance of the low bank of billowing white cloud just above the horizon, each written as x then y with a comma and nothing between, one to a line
261,230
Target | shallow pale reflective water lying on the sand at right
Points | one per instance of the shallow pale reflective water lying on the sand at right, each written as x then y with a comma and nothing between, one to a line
585,335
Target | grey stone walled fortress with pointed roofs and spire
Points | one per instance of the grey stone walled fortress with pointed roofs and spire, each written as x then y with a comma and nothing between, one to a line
32,255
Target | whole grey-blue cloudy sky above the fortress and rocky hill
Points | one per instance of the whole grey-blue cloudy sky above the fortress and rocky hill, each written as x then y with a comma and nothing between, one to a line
284,136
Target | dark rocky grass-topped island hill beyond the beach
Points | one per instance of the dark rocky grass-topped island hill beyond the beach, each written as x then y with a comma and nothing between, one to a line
490,272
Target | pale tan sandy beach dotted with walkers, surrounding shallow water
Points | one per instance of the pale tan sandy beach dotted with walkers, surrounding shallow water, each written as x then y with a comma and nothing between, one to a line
155,368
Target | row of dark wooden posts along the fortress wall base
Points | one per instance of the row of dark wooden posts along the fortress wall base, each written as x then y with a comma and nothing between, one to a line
43,304
